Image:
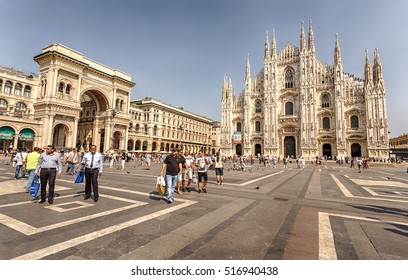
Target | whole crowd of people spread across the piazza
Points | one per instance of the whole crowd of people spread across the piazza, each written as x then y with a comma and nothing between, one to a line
179,167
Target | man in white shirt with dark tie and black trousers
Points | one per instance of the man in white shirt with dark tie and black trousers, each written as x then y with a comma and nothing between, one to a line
93,162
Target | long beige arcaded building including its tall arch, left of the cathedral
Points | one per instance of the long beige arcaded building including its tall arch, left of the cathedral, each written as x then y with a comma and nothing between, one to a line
75,101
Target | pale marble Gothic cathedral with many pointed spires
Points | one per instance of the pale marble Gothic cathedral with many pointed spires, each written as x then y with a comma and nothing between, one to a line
298,105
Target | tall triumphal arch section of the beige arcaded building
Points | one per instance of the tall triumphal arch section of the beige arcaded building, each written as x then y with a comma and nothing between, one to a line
81,102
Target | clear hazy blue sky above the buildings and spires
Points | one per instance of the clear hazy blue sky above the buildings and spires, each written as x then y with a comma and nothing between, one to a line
178,51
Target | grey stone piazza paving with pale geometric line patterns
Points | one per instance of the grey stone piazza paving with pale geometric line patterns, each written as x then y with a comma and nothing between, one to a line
320,212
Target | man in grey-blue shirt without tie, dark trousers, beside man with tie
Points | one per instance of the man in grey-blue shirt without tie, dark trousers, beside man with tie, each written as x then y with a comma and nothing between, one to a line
50,164
